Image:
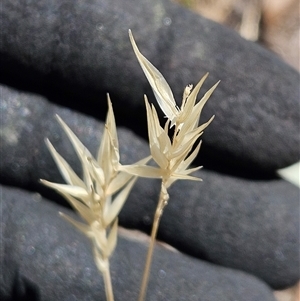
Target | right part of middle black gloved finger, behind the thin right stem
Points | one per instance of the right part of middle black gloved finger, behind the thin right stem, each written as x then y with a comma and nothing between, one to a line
238,223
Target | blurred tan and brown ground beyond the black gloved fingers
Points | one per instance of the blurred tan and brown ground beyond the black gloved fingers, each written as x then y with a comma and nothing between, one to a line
275,24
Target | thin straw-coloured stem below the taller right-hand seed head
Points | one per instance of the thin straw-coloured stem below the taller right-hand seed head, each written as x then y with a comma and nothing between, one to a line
163,199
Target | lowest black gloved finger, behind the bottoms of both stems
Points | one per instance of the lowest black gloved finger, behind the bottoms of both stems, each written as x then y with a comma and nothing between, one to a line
43,258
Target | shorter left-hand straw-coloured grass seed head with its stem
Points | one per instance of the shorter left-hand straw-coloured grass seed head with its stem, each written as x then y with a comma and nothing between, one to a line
100,196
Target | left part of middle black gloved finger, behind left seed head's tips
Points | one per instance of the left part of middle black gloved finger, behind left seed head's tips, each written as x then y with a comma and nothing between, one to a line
27,119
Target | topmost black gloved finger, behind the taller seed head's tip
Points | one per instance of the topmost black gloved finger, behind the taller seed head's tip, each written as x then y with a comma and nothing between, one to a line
75,52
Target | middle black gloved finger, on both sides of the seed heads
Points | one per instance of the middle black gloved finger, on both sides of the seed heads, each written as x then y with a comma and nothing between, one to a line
235,222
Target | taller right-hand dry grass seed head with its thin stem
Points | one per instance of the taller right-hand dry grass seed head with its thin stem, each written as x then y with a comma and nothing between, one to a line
173,156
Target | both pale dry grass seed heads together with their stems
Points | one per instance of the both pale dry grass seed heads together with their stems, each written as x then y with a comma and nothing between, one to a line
106,184
